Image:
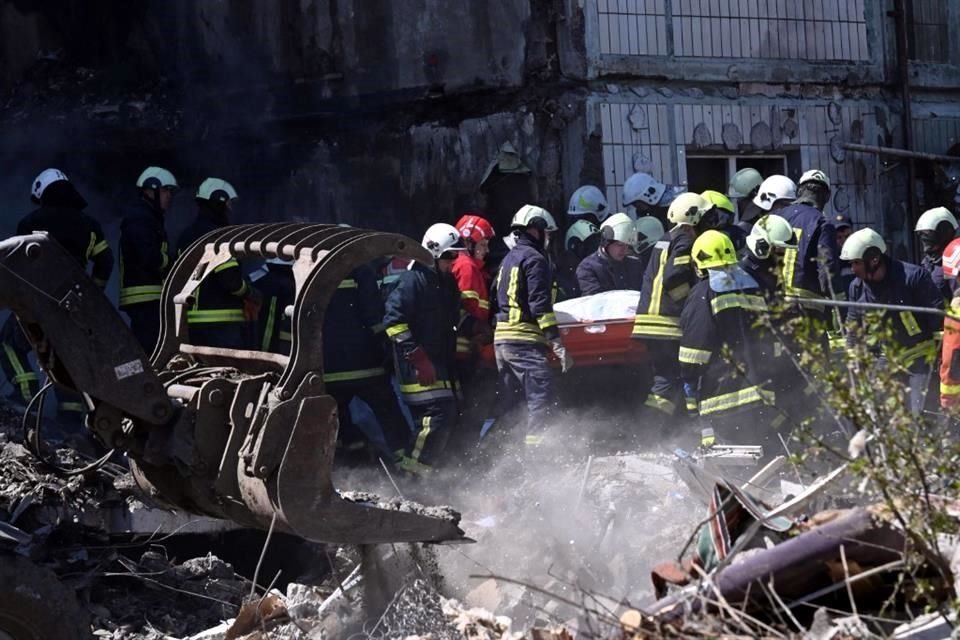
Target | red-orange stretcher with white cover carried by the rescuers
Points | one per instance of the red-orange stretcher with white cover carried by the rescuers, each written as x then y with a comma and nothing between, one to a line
596,330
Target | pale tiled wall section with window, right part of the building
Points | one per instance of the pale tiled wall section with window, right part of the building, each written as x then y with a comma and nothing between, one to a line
778,79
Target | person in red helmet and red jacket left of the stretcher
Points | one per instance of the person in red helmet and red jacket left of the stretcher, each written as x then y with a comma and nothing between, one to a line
474,330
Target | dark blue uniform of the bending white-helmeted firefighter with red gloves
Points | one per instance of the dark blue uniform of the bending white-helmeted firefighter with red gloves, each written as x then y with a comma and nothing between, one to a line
422,311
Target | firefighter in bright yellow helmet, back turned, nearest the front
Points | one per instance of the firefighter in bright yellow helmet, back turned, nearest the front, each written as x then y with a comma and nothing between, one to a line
722,364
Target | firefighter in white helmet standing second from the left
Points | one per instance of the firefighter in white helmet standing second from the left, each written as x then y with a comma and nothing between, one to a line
145,255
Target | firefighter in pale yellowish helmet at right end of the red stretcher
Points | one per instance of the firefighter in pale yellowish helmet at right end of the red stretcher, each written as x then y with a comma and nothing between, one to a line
666,283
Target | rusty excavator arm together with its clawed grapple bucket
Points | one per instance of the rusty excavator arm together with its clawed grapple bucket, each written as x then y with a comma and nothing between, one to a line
243,435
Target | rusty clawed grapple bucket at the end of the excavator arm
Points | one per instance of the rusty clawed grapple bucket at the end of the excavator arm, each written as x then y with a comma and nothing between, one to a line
266,455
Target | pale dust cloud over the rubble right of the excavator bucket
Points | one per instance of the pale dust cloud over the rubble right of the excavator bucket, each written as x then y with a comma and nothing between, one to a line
590,511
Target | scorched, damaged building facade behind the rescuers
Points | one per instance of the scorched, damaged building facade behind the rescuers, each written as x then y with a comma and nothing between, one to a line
341,111
